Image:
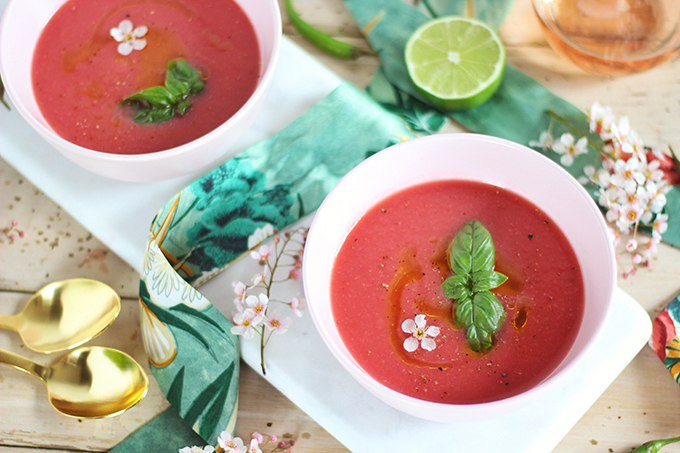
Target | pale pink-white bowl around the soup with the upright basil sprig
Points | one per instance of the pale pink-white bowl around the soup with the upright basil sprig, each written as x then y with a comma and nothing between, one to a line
470,157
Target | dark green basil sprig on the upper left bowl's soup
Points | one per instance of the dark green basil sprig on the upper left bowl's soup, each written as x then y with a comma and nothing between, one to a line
161,103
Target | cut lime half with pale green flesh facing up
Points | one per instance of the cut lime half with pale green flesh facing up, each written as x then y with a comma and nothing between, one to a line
455,62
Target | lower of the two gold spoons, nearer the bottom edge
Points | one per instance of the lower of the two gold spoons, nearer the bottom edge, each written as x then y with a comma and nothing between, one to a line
89,382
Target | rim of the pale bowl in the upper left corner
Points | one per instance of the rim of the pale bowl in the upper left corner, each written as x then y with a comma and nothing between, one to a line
267,70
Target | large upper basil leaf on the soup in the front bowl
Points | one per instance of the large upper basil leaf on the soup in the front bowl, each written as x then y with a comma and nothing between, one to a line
472,249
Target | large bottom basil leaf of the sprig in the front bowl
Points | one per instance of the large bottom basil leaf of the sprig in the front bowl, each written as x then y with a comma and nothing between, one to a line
482,315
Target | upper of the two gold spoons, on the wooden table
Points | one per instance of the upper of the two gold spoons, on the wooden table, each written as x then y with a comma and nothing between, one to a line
64,315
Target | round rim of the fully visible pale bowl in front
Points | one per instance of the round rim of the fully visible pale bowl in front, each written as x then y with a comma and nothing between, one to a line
444,412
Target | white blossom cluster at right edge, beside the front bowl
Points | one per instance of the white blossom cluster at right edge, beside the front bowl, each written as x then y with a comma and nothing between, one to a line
631,179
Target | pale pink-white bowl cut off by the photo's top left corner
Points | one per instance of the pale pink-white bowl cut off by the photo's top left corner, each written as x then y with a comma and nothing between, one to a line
21,25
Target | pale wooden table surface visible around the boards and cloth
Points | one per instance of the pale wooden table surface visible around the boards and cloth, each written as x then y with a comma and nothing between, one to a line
45,244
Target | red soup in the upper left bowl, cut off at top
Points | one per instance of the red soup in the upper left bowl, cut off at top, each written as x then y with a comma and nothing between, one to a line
80,77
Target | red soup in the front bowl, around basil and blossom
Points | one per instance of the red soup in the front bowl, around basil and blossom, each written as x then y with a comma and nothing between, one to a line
392,264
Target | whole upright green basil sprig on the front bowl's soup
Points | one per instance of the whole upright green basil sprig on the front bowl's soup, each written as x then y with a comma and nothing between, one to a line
471,258
